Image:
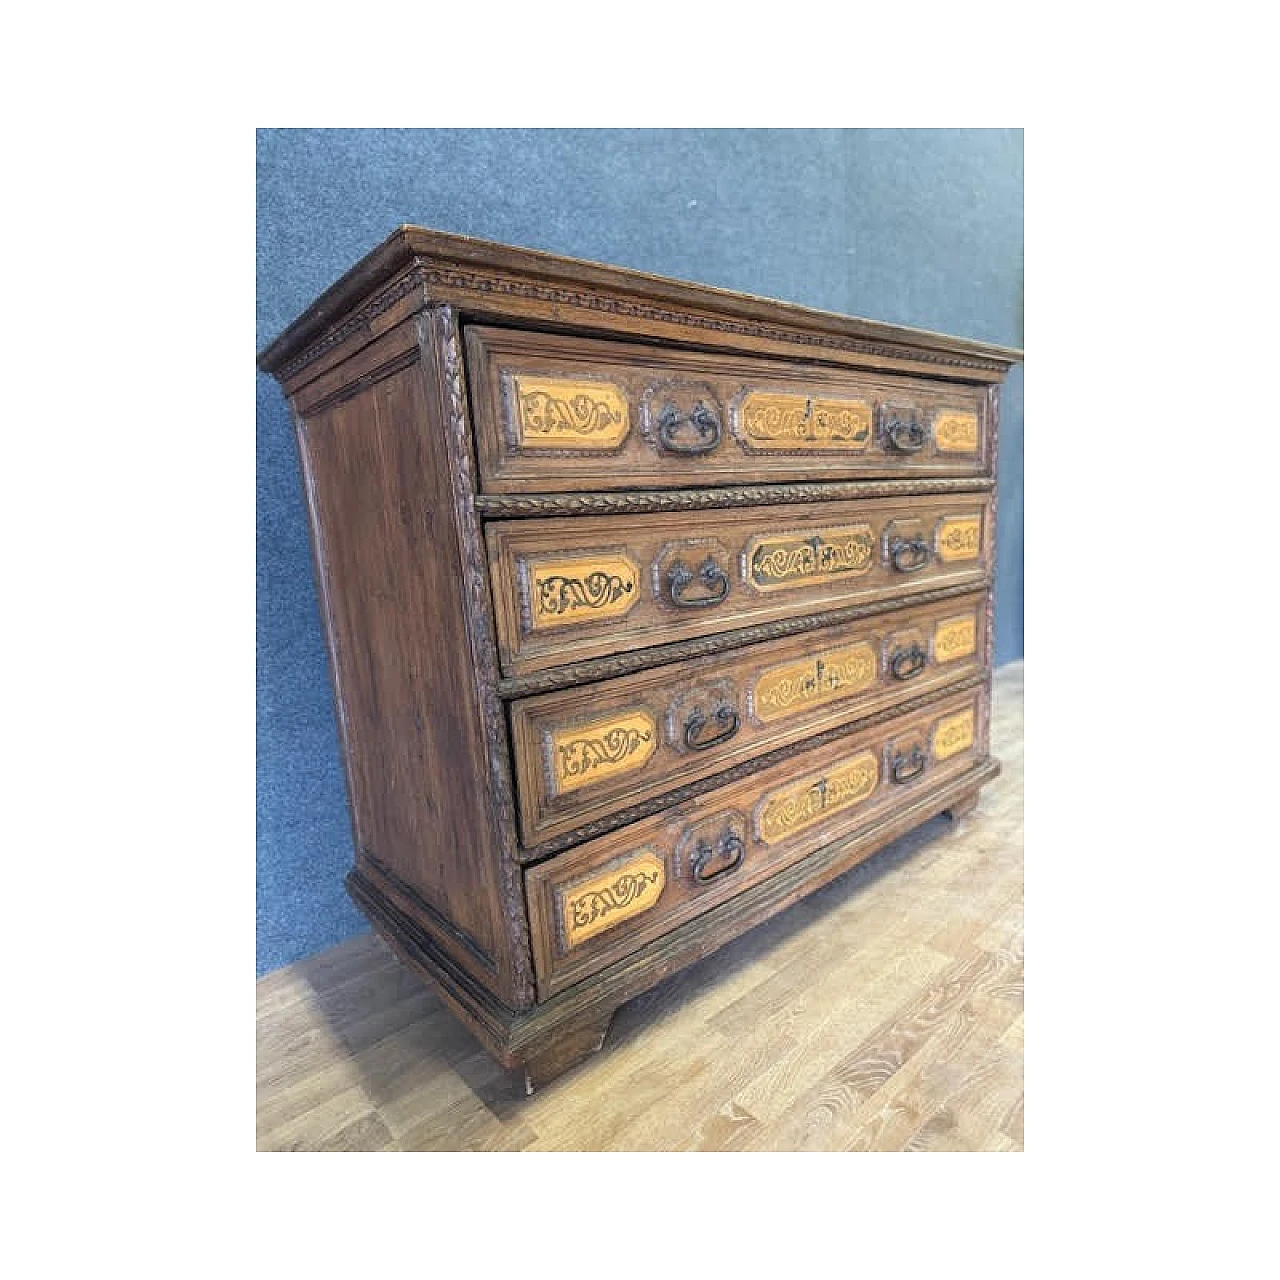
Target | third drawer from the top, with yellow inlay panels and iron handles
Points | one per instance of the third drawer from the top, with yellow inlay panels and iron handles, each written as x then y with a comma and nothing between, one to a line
589,752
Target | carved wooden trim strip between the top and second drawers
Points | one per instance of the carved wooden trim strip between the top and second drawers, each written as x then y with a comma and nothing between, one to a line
502,506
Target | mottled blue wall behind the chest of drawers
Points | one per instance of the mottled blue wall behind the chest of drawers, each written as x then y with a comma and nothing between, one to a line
920,227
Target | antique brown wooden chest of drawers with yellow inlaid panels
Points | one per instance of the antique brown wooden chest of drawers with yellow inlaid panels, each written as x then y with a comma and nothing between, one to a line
651,609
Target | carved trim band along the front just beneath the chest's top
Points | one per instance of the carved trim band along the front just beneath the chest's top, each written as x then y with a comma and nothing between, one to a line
492,282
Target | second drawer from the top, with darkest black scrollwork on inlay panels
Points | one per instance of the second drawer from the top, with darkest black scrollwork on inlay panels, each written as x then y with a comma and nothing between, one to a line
580,588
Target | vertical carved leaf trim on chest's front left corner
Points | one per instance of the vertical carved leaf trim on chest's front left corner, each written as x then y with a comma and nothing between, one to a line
483,646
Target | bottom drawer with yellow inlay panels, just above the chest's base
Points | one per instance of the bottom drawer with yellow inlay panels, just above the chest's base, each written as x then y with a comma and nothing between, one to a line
605,899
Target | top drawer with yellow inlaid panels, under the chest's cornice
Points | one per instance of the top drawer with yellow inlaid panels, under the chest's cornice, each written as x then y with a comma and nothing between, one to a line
556,413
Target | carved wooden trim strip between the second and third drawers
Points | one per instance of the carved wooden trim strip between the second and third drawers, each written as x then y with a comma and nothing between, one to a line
641,660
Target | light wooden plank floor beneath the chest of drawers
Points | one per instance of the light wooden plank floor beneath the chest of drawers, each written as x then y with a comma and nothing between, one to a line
884,1013
